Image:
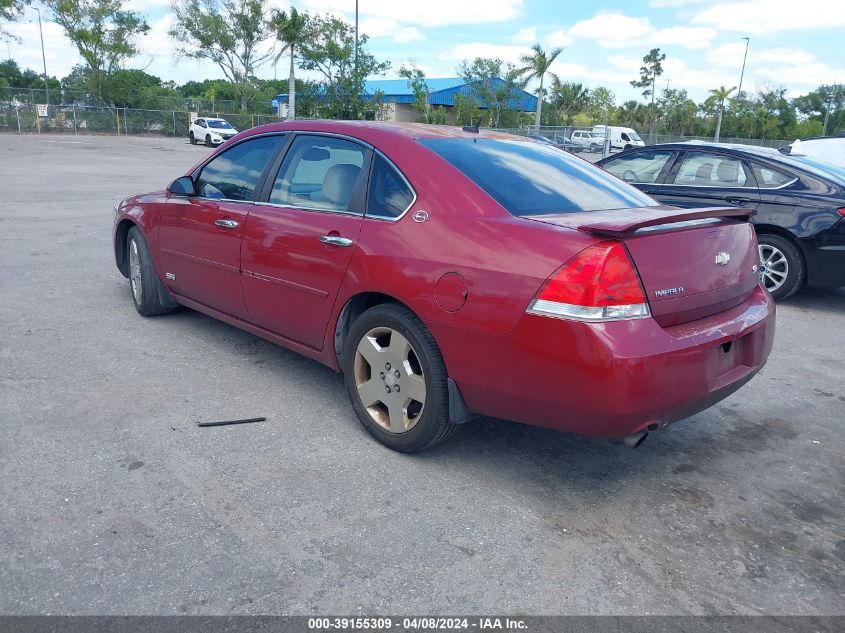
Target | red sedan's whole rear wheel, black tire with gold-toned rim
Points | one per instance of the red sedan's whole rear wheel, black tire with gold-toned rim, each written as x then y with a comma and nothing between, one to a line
396,379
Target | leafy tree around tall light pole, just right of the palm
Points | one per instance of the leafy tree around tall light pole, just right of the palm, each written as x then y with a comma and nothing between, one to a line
330,52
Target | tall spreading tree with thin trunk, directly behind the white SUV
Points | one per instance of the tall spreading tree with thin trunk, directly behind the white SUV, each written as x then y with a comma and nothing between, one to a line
230,33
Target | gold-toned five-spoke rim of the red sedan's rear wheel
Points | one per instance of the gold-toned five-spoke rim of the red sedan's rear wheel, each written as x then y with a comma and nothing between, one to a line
389,379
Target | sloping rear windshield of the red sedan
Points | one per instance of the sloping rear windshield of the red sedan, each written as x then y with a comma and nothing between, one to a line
534,178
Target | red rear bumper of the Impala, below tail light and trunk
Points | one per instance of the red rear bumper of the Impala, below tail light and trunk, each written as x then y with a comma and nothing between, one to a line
612,379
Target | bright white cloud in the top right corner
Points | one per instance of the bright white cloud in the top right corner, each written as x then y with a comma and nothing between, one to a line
772,16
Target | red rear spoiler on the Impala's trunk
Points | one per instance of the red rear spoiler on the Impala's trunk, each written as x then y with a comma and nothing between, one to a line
621,223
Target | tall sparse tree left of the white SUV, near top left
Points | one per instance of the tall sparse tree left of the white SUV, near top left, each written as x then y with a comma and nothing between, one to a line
104,33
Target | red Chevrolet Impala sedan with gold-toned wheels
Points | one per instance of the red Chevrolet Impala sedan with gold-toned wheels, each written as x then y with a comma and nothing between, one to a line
450,273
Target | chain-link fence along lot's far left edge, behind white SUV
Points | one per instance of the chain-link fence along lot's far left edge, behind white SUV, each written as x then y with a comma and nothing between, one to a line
29,118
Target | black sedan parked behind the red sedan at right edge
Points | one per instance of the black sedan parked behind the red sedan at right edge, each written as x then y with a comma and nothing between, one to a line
800,202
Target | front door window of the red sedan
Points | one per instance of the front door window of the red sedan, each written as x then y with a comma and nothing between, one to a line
234,174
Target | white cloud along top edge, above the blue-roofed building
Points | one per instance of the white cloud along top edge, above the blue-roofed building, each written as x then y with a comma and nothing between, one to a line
431,13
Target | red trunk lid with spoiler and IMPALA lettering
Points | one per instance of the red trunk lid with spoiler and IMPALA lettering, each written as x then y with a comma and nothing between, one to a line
692,262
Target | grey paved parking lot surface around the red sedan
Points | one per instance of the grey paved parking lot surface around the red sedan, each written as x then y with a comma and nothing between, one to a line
113,501
